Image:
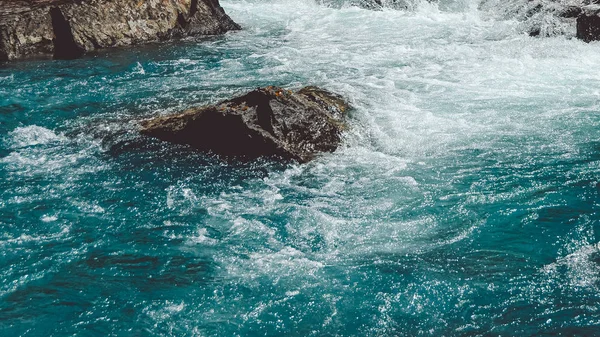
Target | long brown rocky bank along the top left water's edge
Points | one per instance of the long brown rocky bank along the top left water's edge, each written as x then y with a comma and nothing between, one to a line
67,29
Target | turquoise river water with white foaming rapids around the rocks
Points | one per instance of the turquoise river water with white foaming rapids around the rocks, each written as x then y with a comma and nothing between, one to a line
464,201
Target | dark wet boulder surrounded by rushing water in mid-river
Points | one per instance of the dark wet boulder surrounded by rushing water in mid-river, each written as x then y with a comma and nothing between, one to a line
270,122
